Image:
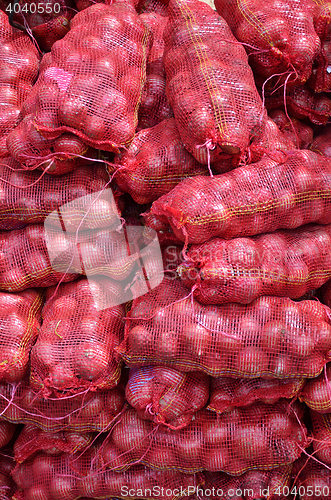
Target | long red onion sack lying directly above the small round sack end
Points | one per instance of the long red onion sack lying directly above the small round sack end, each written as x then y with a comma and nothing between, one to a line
271,337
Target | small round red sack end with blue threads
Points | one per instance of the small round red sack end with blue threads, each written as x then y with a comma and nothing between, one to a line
166,396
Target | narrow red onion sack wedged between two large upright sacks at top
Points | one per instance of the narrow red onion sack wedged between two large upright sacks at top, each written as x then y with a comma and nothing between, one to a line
154,106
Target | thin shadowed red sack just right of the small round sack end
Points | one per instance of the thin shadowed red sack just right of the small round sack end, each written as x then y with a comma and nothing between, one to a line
227,393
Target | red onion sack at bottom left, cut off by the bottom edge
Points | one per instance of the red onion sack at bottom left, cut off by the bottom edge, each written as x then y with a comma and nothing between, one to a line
67,476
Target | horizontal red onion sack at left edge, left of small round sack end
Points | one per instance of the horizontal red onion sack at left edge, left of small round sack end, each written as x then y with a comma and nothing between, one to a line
91,412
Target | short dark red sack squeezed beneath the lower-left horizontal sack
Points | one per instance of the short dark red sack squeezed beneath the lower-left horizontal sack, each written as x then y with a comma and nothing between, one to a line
33,440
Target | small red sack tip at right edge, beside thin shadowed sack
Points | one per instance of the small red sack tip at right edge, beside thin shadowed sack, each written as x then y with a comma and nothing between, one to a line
317,392
